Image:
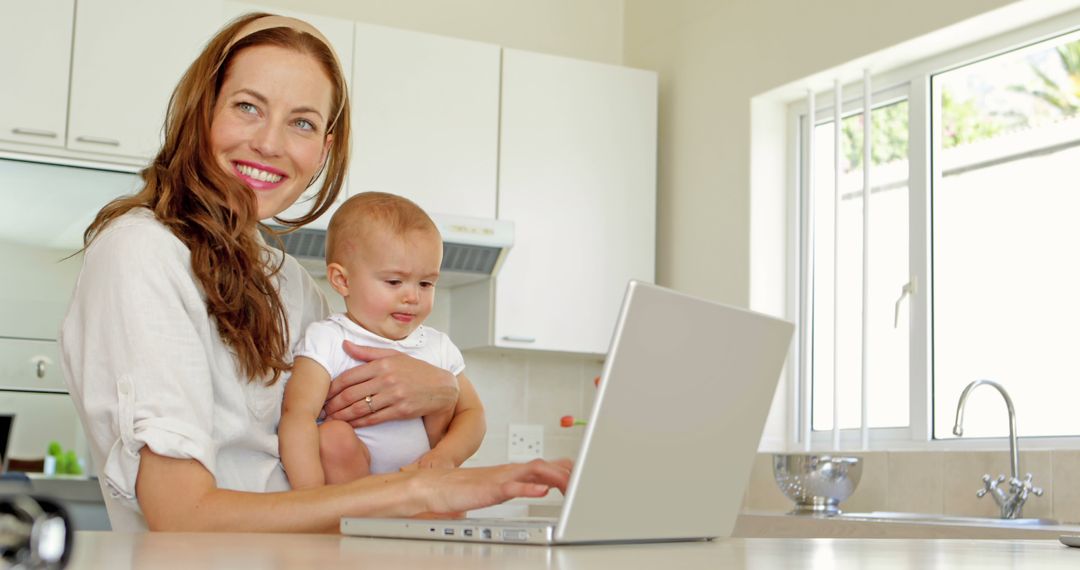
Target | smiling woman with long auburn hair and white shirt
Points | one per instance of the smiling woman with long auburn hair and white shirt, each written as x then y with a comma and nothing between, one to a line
184,322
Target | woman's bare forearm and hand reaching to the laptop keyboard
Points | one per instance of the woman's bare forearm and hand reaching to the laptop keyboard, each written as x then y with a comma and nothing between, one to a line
180,495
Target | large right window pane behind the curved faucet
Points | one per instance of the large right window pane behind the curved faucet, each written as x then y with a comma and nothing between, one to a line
1006,239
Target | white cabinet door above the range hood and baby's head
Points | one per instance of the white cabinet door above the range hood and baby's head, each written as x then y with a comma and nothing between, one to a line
426,119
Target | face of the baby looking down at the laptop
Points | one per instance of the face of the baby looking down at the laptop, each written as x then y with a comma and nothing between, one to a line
393,282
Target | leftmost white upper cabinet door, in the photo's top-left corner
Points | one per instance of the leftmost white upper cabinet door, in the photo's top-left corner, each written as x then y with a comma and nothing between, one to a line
35,59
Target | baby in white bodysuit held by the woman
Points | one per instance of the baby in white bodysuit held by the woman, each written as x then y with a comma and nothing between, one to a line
383,256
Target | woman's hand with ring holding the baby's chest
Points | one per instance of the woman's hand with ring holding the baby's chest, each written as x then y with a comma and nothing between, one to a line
400,388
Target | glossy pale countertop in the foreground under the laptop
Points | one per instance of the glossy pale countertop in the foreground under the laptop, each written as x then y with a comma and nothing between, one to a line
229,551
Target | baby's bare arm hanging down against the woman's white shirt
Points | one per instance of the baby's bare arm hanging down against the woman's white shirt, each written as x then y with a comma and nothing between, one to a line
299,433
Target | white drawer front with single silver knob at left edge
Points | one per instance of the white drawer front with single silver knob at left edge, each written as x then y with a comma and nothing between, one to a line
33,365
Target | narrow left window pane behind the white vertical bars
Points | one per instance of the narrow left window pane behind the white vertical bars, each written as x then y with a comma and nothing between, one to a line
839,270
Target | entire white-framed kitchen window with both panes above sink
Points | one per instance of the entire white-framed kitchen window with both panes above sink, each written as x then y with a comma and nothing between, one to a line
975,256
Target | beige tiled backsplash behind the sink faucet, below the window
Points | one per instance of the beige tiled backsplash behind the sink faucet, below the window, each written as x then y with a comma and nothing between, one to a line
940,483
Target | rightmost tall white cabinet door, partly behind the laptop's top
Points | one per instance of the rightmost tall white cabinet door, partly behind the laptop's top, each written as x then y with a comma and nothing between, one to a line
577,175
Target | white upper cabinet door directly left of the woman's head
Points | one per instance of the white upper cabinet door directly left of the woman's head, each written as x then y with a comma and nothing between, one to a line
129,56
